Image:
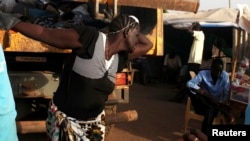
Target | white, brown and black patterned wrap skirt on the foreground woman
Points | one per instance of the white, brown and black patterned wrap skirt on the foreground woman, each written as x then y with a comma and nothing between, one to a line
63,128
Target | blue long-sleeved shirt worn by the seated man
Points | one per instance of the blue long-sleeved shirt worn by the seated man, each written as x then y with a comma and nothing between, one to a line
204,80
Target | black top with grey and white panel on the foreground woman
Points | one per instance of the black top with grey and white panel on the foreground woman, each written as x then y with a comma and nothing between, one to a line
85,81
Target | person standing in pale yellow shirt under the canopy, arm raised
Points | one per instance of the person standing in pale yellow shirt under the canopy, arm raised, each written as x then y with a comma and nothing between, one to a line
195,55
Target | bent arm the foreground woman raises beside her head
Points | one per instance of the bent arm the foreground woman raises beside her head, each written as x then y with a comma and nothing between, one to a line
142,47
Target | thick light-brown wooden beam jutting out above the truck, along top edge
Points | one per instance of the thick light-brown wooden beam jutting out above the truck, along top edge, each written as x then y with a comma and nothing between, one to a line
181,5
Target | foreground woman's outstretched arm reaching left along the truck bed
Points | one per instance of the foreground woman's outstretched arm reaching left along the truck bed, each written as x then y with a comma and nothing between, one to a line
59,38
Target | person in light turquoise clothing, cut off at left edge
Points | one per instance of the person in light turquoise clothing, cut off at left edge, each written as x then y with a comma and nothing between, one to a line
7,104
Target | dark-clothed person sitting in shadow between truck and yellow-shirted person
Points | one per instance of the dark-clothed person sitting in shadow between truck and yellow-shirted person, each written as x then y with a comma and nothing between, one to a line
171,67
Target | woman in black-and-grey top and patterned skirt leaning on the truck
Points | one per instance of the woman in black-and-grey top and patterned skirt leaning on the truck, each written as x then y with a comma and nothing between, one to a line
77,107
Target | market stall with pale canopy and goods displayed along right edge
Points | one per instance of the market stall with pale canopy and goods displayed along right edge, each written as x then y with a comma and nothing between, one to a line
233,26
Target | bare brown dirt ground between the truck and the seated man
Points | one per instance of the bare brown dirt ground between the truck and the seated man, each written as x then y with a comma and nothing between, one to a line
158,118
